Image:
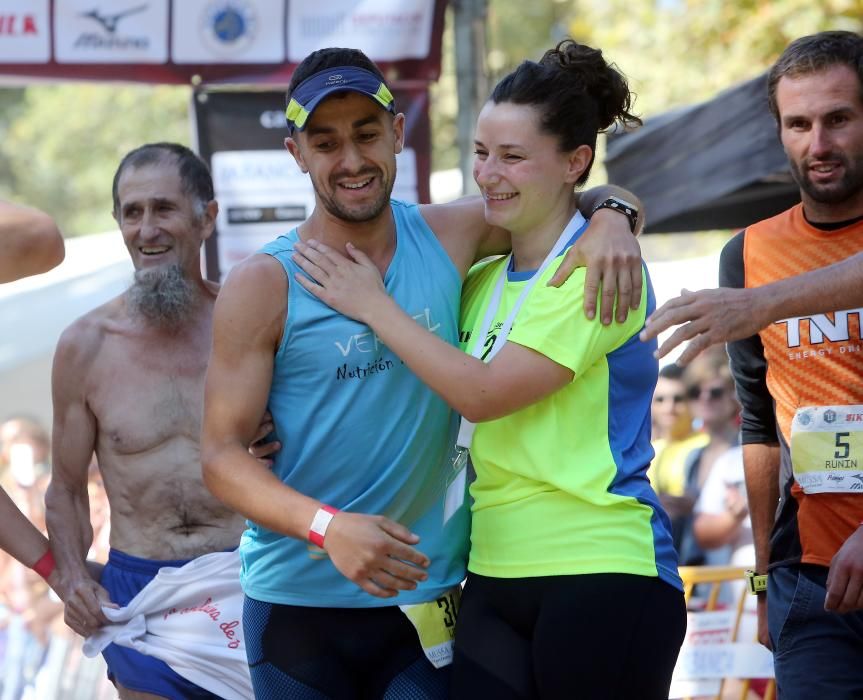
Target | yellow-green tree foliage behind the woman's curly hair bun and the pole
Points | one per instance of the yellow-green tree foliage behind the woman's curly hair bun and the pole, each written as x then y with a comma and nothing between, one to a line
674,52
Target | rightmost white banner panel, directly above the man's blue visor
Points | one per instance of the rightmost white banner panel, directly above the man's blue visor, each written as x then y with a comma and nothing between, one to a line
386,30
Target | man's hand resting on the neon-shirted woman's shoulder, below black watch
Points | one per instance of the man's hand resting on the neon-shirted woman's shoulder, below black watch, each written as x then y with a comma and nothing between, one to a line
612,257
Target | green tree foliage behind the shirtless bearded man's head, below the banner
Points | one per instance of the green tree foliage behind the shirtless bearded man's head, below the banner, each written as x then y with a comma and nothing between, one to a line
61,144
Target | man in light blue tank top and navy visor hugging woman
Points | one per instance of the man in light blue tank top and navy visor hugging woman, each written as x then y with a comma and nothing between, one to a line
357,538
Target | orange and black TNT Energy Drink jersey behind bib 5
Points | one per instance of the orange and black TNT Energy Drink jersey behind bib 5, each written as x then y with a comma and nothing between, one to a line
811,361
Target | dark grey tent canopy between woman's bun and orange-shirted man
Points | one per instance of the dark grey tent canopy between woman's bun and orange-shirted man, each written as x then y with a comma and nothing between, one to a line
717,164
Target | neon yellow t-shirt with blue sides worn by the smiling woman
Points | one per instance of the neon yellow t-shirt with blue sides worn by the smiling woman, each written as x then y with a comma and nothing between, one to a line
561,485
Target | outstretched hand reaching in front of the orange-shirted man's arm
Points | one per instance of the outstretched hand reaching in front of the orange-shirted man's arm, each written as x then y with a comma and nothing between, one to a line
708,316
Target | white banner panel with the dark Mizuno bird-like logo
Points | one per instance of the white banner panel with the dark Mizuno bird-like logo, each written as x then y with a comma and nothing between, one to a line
111,31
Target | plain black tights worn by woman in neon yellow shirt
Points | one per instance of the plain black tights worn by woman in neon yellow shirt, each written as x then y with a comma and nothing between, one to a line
596,636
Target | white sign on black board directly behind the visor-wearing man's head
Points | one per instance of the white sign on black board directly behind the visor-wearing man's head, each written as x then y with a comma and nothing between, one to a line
263,194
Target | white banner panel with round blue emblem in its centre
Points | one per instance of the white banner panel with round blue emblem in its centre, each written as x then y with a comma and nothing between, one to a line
228,31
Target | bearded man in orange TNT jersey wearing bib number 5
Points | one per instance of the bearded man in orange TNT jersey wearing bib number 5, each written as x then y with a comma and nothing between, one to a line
799,382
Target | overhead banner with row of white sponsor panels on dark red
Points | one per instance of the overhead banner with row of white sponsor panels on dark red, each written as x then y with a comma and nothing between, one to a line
213,41
